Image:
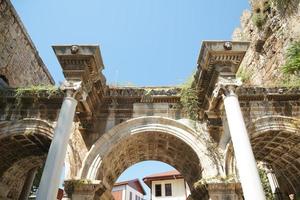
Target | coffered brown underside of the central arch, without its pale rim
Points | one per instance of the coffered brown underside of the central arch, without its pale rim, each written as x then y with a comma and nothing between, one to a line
145,146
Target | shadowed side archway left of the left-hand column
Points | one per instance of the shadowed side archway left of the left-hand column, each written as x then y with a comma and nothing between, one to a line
24,146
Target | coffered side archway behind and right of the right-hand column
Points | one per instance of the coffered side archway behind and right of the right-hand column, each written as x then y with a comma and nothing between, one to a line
276,141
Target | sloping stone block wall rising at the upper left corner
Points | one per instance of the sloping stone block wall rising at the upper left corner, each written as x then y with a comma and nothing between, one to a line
20,63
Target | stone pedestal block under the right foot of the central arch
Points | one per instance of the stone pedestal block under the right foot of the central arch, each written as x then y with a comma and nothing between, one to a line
225,191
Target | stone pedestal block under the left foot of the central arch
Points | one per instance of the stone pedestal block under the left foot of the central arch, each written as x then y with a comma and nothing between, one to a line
83,189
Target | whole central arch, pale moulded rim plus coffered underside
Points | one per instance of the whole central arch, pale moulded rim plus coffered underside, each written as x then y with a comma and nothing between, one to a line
150,138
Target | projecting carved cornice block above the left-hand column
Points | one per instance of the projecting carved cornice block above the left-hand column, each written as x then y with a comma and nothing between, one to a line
83,64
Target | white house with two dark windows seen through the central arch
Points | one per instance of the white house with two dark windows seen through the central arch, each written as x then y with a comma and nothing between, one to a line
168,185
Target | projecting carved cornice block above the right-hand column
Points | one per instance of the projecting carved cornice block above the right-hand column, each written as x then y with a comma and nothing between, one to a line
217,59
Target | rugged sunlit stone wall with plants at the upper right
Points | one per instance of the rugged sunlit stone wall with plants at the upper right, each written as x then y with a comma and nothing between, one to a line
269,42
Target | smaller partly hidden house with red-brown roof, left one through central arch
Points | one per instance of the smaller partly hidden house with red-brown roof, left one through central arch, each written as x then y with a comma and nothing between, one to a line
128,190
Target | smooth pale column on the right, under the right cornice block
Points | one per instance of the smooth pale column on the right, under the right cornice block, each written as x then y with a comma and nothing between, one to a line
246,164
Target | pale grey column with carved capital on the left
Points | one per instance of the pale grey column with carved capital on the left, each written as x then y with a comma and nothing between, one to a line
54,164
